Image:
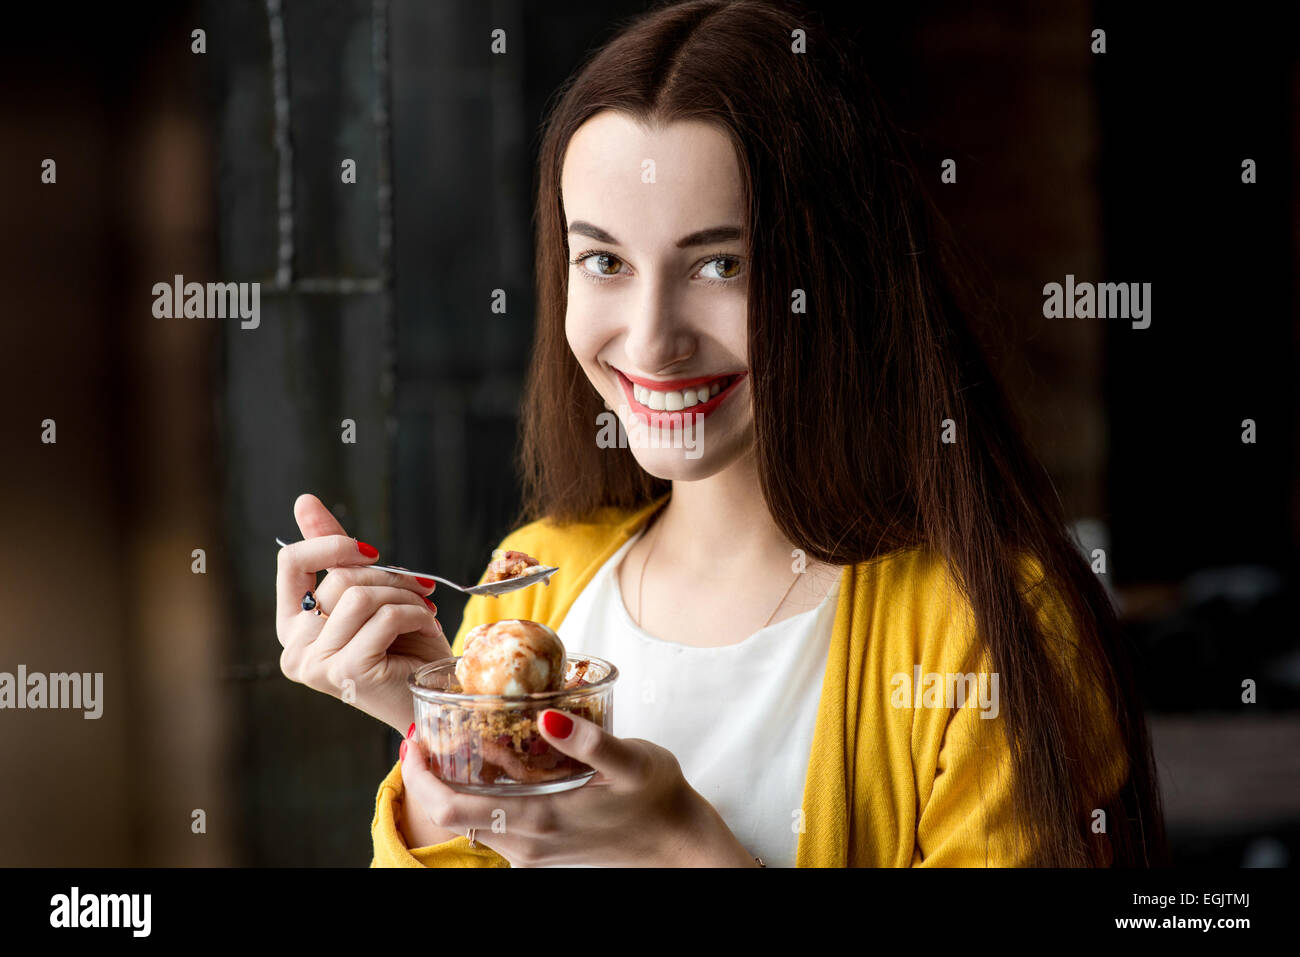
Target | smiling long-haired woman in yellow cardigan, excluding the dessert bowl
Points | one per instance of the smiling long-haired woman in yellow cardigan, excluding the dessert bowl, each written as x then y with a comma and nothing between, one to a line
846,521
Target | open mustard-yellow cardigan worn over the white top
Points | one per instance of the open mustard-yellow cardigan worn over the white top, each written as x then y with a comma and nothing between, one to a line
889,785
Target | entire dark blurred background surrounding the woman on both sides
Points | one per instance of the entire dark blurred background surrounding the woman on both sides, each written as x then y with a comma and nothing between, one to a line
176,436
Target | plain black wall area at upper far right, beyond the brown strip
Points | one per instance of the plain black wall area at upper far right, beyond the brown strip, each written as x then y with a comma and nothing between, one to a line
1177,124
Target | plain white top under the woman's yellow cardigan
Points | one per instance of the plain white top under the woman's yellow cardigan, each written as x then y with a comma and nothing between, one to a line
739,718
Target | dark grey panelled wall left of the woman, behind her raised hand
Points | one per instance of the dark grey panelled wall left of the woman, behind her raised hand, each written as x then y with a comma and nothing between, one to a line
380,313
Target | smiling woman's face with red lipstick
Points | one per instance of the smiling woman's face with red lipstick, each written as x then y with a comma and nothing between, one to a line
657,289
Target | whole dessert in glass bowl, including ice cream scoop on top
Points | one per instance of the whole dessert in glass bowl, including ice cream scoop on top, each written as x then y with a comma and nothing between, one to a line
476,716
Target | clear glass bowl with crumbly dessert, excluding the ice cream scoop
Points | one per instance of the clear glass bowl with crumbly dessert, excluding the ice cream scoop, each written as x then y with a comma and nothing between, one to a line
491,744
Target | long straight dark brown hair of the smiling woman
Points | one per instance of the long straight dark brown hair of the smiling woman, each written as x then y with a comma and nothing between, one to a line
885,353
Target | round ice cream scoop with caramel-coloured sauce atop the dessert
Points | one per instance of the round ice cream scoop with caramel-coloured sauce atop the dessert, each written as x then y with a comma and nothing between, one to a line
512,657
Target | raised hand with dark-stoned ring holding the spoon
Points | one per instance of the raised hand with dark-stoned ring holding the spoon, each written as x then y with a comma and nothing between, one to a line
376,627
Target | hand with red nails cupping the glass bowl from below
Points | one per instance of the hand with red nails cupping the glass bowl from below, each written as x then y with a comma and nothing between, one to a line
638,811
